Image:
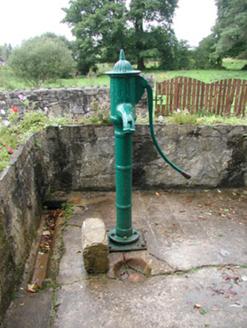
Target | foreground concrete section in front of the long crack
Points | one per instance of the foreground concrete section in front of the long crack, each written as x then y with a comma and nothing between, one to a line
195,300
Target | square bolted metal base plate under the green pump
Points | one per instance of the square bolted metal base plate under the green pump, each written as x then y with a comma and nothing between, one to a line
136,245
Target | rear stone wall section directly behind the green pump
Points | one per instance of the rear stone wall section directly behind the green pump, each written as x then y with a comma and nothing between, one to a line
214,156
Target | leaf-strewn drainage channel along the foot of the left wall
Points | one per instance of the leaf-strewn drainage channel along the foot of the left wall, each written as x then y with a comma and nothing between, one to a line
53,219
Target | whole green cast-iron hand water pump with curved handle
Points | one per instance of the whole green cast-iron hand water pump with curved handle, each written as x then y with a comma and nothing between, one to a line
126,90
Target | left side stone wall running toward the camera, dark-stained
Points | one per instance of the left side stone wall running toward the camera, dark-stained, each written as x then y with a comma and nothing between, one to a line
23,186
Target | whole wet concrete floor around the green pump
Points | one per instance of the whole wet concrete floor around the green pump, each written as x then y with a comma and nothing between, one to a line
196,250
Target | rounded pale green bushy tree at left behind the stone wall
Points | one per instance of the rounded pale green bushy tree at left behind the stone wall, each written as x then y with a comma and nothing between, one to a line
40,60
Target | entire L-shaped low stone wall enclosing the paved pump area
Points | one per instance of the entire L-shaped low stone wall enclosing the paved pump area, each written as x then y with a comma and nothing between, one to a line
81,157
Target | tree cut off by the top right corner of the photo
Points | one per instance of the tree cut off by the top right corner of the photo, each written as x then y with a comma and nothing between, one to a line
230,29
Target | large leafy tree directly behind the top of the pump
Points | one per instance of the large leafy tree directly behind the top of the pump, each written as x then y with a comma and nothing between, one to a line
103,27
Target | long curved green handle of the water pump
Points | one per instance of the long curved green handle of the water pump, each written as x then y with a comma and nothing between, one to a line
147,86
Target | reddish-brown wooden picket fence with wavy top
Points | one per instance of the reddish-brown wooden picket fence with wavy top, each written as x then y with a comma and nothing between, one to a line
224,97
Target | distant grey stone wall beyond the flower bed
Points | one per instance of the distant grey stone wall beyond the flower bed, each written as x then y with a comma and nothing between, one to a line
74,102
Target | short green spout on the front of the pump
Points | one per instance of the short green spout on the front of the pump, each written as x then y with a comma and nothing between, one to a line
125,113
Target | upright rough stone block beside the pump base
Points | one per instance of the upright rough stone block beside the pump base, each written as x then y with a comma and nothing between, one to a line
95,246
